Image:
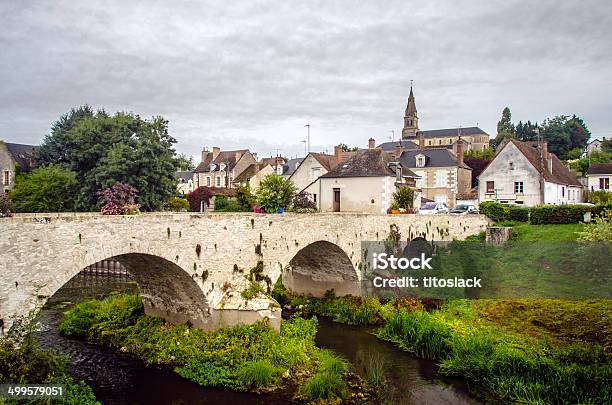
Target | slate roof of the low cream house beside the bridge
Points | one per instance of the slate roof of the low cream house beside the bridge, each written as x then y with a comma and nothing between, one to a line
366,163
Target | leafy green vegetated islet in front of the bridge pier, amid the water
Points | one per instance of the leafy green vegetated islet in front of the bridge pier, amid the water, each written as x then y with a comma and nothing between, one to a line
246,358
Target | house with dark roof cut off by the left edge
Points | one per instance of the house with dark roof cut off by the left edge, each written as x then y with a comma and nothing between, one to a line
14,157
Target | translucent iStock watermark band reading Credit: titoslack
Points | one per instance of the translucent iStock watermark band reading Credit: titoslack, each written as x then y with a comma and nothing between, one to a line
474,269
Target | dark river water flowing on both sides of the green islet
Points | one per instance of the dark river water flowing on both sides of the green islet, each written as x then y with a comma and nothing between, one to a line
120,379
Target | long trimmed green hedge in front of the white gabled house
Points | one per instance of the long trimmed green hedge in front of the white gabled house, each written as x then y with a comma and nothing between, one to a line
541,214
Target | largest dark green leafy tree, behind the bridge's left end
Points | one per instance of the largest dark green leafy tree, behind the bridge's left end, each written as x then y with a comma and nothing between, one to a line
103,150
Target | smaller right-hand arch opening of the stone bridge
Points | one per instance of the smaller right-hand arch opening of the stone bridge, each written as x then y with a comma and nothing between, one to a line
319,267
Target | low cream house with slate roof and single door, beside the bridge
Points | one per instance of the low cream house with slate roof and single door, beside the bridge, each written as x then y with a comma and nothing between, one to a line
364,183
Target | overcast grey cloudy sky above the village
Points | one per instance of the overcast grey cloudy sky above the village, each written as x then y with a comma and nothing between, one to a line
253,73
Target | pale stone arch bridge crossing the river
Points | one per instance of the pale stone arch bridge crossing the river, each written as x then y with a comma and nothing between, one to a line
193,267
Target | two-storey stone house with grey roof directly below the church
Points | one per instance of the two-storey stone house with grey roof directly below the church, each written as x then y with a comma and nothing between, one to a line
442,176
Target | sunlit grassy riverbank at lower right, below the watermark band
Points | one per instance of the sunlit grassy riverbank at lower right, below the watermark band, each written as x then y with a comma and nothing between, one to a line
534,351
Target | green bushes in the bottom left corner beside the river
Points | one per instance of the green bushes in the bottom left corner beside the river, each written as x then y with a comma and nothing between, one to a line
28,363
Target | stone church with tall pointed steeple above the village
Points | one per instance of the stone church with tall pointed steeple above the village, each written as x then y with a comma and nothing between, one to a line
413,137
